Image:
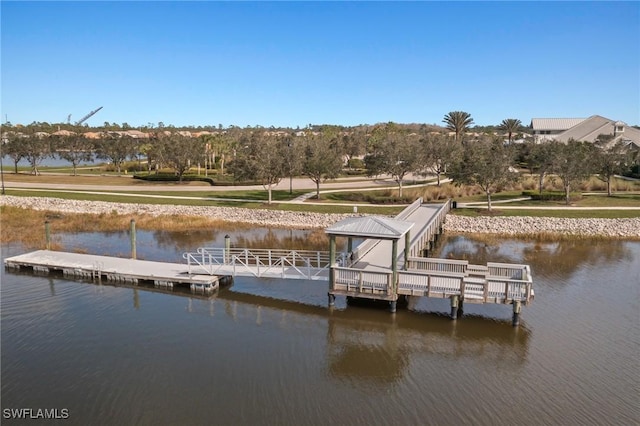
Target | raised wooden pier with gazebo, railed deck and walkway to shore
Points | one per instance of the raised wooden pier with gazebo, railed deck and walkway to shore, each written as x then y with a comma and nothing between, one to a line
392,264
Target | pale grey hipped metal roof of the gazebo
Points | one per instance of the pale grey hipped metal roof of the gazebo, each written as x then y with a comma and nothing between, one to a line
370,227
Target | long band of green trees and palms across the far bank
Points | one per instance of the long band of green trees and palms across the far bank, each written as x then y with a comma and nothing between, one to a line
267,155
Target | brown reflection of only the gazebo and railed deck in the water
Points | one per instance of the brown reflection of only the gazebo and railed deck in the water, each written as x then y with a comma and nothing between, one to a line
382,352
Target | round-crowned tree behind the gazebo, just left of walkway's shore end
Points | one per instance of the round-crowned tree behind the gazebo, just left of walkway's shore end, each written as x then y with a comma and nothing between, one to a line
396,153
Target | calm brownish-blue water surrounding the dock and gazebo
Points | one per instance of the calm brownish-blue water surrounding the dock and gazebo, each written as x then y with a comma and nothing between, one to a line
269,352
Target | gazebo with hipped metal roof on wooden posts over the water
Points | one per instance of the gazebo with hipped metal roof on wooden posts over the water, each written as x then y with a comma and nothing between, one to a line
378,231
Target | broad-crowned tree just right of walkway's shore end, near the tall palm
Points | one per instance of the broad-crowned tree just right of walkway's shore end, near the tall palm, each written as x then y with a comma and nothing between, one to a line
486,164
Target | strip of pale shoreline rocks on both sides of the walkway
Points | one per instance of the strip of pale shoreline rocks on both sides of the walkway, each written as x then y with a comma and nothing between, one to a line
612,228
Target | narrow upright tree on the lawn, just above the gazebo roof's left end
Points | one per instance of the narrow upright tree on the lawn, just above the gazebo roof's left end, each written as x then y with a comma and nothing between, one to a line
322,159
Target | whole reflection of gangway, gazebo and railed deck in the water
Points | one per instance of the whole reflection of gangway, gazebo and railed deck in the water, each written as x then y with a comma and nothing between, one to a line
370,345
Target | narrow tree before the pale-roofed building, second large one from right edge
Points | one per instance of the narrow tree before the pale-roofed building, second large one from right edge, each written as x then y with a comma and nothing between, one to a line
572,162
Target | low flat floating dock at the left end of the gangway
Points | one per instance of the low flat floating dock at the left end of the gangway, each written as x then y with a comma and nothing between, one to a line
114,269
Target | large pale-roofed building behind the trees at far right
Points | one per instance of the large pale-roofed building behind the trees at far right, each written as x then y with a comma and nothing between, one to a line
592,129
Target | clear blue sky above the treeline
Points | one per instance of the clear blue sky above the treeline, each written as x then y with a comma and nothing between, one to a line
295,63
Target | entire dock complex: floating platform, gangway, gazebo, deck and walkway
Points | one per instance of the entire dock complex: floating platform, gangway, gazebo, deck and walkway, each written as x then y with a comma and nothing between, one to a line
390,265
